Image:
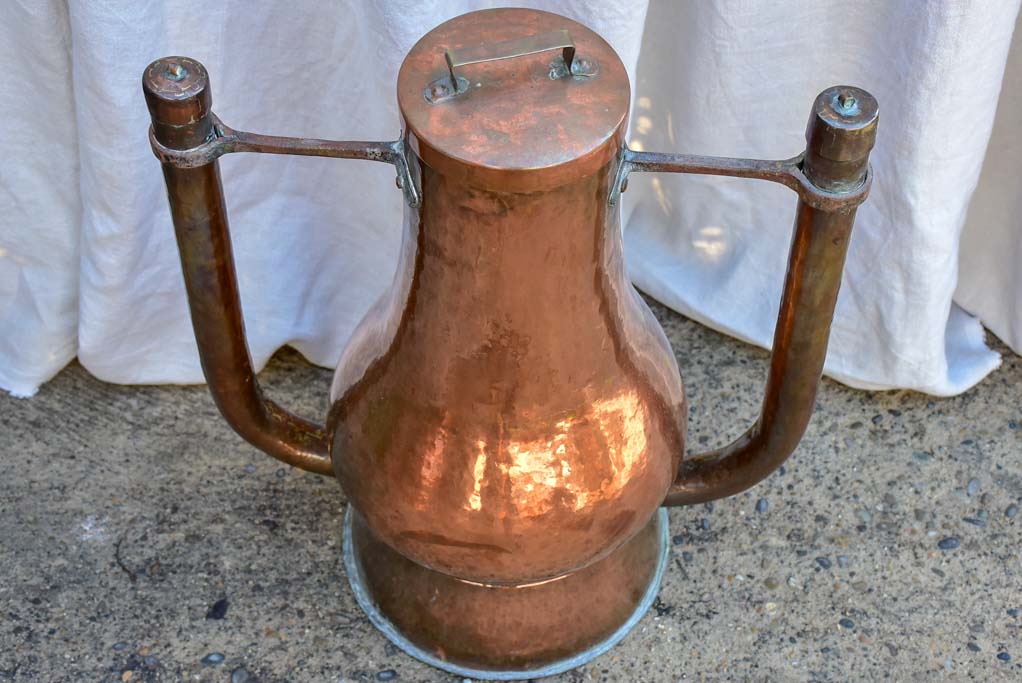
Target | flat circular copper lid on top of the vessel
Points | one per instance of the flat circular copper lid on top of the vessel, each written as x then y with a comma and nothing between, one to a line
515,100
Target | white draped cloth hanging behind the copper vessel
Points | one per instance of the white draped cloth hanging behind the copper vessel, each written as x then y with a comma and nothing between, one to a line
89,267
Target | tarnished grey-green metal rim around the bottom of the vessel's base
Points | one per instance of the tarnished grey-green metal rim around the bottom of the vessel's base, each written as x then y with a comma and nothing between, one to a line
388,628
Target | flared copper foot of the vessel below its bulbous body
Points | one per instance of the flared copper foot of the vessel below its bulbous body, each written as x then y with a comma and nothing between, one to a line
508,627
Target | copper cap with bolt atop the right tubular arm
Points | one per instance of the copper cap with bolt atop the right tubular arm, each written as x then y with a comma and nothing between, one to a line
842,132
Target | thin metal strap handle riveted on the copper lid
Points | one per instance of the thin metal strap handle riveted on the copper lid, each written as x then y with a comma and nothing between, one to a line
443,89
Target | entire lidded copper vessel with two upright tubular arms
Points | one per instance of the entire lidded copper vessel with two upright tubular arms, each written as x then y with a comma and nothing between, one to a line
508,421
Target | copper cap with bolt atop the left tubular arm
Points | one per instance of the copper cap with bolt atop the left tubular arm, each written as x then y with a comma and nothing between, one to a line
177,93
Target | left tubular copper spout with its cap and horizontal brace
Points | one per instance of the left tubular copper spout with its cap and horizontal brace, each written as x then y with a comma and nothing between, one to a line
189,140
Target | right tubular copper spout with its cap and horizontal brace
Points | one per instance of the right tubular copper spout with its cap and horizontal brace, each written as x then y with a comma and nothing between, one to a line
841,134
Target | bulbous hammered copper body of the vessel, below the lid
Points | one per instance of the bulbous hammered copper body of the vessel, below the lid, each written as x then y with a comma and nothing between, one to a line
510,411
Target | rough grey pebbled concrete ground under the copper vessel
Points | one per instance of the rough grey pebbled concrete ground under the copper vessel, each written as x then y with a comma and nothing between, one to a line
142,540
